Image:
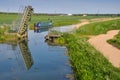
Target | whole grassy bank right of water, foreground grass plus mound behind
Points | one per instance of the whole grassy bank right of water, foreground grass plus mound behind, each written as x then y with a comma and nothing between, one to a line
87,62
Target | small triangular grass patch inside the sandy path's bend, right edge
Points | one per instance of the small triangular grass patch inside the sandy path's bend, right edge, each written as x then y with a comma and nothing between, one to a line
115,41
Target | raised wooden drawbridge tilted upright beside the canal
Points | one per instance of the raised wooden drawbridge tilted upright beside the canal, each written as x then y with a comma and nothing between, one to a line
26,18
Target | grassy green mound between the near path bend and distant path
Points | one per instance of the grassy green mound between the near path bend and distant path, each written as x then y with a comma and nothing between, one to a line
99,27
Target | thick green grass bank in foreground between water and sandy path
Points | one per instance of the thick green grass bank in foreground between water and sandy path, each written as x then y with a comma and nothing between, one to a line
87,62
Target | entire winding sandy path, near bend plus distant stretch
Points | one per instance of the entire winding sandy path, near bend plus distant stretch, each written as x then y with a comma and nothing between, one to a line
99,42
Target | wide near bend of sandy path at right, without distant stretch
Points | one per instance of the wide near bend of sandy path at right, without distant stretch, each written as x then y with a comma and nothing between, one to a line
109,51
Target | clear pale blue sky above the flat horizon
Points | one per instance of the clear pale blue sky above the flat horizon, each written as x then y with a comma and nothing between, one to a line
63,6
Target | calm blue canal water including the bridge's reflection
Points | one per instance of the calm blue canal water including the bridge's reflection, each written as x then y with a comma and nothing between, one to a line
33,60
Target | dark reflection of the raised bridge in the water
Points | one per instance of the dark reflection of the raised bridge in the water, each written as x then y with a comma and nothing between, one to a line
26,53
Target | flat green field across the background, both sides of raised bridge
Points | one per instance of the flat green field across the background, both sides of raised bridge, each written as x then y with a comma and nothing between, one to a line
57,20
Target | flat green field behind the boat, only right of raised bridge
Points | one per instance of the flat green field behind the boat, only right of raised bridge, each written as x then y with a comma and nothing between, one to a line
62,20
